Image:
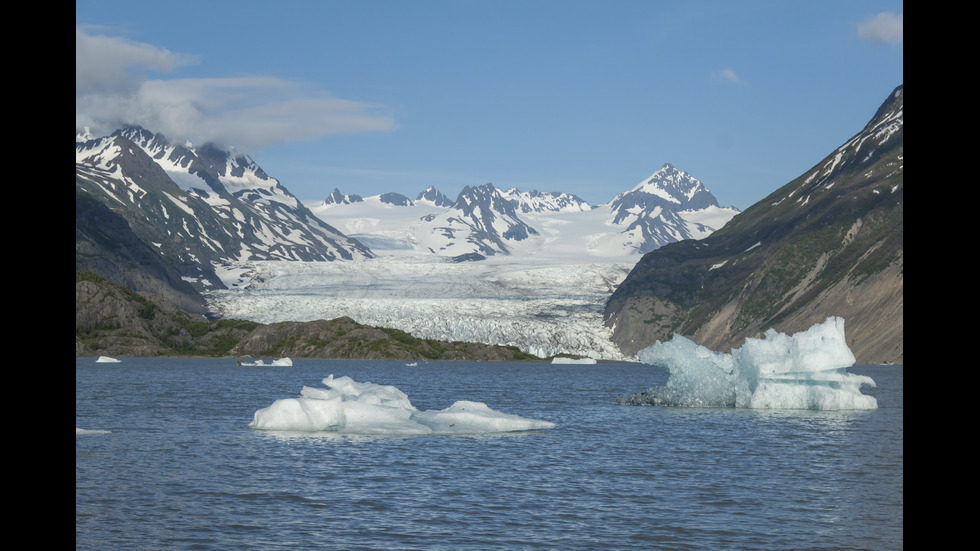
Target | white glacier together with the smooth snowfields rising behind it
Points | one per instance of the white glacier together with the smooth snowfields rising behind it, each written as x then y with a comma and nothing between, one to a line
546,297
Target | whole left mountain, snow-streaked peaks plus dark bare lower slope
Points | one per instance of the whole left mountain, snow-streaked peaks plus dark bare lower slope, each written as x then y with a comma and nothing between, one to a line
189,206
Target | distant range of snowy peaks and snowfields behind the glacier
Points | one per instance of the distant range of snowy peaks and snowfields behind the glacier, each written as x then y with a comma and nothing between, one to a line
670,205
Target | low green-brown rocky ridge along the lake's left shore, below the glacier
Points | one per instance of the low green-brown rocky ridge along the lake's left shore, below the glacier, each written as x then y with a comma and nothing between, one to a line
115,321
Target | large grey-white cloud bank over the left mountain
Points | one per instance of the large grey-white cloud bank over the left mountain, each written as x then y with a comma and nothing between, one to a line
112,89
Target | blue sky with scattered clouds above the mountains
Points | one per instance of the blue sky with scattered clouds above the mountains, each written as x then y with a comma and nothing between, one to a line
588,97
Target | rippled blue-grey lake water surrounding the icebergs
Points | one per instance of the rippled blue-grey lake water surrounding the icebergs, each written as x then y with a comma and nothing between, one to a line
164,459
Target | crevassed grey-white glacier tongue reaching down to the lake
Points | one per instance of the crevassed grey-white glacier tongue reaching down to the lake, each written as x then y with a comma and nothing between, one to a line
542,306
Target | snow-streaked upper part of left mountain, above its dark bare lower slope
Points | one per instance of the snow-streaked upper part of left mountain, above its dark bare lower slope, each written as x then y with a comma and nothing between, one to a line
202,205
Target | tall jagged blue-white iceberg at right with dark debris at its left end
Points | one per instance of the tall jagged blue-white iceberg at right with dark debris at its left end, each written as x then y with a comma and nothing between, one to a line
804,371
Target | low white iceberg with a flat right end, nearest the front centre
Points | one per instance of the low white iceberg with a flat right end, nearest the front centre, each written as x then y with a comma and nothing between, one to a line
351,407
